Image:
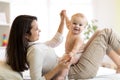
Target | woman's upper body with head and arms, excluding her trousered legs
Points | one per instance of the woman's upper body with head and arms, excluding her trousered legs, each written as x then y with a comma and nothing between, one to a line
24,51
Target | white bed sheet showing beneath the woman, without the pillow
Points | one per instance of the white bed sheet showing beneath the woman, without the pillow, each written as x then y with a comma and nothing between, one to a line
102,74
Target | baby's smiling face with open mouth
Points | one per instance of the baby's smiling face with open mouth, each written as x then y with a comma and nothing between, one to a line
78,25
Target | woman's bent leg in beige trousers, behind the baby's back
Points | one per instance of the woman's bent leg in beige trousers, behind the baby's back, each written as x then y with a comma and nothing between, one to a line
90,60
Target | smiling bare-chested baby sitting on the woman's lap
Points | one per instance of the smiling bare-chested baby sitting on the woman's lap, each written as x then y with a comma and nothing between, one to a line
74,42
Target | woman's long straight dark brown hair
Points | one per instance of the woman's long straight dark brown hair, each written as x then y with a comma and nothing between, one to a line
16,50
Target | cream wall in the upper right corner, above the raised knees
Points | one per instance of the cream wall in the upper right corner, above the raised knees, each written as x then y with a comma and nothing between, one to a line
107,13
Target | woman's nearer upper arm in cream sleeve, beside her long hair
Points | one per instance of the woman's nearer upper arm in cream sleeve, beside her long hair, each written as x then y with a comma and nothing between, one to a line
35,58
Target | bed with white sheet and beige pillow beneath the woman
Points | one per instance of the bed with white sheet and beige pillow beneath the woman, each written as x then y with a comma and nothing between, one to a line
7,74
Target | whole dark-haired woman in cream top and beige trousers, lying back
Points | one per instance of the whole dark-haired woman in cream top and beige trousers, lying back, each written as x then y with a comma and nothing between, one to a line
23,51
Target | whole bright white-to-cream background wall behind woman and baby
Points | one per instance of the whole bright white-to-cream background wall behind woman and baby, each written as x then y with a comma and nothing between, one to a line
106,11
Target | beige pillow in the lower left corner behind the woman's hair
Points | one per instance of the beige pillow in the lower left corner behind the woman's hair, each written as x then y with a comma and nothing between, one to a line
6,73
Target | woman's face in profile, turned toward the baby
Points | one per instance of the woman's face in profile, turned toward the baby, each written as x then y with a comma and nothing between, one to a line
34,32
